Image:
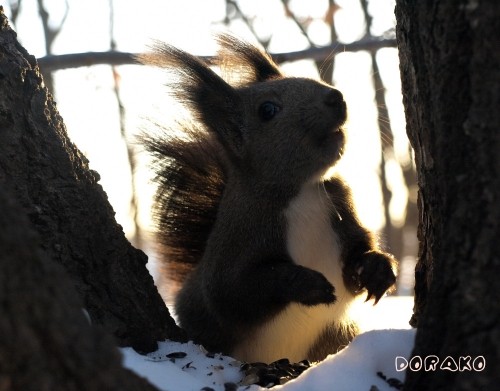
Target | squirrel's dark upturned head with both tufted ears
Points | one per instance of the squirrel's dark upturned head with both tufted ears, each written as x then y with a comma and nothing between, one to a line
274,129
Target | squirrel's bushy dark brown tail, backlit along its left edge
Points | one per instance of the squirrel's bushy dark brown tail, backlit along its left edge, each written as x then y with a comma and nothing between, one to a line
190,175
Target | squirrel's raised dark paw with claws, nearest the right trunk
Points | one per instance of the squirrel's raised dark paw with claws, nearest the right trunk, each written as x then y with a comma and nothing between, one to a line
375,274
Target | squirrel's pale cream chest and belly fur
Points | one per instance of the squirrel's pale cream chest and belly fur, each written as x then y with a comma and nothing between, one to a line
311,242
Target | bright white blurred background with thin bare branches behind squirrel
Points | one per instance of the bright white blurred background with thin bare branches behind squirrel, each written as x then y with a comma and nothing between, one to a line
106,100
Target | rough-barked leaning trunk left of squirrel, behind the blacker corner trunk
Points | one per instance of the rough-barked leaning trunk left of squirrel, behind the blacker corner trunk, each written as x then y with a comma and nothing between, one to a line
68,209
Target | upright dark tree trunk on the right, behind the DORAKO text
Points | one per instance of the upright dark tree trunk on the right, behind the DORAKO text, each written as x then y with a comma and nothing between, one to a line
450,68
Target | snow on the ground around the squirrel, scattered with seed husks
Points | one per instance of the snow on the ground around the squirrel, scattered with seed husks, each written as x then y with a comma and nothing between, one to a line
363,365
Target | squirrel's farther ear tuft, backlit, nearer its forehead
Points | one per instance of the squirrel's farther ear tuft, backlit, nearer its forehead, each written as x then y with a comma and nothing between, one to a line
248,62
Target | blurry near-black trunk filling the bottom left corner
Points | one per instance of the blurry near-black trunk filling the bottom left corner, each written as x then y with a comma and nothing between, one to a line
46,343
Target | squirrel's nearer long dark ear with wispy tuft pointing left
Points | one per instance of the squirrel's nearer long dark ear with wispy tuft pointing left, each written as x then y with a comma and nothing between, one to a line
212,101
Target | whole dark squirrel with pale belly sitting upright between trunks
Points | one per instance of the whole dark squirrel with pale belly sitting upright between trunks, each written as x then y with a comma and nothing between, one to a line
269,253
